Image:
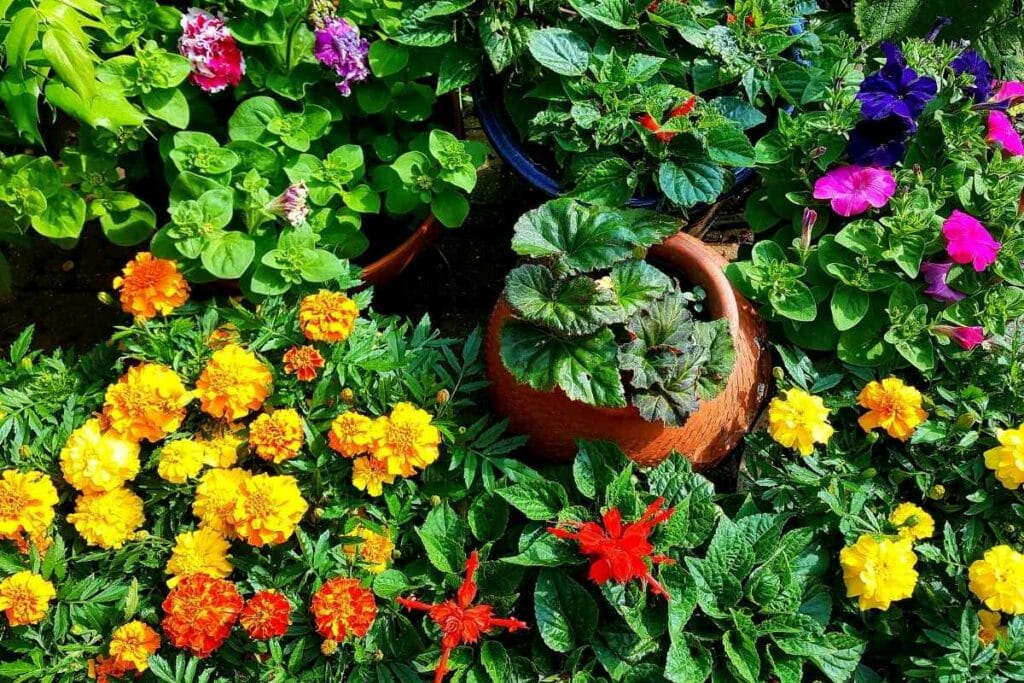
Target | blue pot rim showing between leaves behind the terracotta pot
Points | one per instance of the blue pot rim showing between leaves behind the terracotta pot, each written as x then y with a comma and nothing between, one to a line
489,104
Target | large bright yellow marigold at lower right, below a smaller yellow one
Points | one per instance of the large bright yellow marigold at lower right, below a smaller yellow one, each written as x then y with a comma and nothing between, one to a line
879,573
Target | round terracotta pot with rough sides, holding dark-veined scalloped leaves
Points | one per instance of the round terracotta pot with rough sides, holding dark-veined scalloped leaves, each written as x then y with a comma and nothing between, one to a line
553,421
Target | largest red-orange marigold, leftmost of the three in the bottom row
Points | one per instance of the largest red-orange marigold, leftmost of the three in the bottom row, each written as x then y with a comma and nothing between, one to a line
199,614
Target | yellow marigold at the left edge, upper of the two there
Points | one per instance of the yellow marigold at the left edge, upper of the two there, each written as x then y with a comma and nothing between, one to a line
27,501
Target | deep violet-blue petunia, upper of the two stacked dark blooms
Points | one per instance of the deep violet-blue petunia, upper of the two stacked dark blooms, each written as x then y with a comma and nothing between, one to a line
897,90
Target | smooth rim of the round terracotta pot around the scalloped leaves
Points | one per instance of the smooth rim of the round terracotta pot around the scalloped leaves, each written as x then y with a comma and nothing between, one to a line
705,269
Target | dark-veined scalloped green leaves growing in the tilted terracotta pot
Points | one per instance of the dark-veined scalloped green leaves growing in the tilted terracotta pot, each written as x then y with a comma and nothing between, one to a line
603,325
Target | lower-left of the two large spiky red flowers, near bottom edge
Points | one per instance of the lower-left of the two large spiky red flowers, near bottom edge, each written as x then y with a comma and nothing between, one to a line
461,622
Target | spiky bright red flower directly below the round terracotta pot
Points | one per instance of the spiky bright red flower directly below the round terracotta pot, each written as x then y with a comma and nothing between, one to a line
620,552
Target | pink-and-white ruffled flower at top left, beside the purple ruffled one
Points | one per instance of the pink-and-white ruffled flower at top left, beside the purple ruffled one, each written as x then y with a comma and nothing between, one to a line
209,47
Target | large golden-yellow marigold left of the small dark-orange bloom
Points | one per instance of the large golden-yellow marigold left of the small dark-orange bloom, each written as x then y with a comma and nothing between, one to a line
234,383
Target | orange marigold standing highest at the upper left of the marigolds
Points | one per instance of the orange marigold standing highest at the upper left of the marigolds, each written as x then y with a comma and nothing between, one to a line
151,287
